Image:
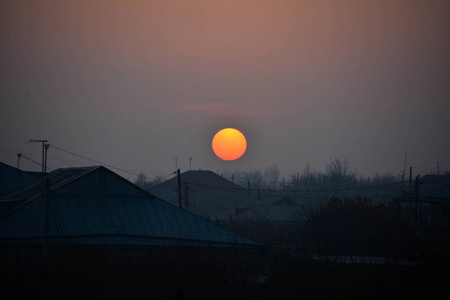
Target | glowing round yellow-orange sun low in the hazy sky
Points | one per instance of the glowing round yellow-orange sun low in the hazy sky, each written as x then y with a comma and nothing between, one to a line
229,144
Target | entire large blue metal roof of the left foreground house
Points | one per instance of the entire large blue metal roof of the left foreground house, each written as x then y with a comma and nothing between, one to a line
93,205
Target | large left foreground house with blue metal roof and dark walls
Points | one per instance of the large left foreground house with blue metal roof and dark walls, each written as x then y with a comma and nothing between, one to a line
90,231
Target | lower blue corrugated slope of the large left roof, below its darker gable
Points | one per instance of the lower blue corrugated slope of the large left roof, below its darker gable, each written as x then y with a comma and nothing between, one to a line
109,220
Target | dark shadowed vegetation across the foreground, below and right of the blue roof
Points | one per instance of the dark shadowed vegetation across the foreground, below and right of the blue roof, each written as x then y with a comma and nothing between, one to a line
349,249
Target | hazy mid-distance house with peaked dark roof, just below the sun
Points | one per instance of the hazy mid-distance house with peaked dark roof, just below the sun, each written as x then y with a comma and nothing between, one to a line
203,193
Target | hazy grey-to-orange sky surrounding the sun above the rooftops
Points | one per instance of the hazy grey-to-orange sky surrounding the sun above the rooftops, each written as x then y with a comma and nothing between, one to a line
143,86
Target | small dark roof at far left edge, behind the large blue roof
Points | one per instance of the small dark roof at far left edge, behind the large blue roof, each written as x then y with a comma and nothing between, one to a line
12,178
